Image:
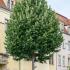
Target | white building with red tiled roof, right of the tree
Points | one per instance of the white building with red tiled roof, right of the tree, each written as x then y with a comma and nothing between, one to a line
61,59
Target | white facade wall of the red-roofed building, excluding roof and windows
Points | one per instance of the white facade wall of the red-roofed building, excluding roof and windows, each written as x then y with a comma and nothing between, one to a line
63,52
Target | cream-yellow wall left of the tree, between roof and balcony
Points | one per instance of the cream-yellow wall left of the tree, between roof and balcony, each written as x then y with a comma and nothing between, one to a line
3,16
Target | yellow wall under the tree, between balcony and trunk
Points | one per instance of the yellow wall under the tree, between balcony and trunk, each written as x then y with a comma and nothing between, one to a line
14,65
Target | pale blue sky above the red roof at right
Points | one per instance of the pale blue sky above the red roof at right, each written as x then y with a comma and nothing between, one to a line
60,6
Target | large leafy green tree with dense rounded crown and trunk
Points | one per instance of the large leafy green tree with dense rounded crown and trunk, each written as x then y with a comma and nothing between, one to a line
33,31
